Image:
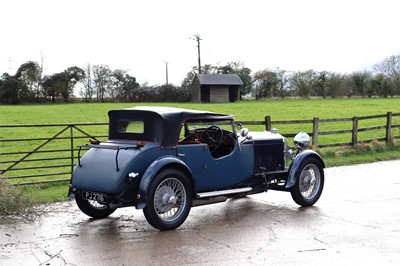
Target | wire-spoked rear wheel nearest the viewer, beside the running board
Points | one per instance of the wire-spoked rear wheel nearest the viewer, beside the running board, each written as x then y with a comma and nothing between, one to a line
169,200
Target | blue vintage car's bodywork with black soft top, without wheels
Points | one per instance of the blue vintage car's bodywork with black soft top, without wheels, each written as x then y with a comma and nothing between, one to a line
124,166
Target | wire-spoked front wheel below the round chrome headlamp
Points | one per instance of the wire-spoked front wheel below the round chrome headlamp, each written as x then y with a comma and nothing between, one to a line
309,182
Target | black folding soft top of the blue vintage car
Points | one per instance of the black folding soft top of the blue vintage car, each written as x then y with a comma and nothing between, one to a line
161,124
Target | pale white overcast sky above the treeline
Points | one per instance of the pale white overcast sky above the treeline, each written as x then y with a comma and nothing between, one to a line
140,36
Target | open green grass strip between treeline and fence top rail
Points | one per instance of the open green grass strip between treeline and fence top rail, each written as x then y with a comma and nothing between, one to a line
287,109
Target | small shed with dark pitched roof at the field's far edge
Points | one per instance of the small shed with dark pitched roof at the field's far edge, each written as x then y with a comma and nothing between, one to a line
216,88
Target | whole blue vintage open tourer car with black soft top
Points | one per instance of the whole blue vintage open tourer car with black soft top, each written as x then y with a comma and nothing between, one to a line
166,160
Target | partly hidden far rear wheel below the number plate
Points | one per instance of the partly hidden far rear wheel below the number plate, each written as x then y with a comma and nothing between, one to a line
93,208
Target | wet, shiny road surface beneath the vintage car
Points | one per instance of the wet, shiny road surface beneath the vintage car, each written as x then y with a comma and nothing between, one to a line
356,221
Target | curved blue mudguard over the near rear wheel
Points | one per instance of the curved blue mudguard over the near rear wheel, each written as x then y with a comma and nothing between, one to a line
151,172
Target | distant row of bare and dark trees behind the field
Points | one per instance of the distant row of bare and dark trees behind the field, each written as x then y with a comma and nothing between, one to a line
99,83
